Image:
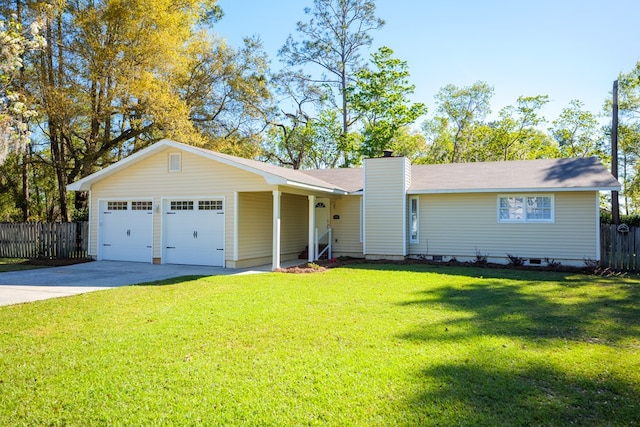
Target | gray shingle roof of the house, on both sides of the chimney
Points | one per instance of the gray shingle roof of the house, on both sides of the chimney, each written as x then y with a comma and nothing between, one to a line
529,175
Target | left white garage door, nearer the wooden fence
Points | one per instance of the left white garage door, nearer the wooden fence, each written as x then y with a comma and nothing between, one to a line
126,230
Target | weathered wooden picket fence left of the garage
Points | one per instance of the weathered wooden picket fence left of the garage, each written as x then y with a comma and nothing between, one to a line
44,240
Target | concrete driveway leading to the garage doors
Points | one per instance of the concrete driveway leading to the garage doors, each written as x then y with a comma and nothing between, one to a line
44,283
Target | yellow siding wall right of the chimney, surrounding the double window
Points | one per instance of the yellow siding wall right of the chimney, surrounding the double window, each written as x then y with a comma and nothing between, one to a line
459,225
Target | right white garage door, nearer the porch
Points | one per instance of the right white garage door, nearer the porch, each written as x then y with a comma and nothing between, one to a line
194,232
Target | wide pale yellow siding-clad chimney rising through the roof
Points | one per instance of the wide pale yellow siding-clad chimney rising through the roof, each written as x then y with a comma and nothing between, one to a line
385,206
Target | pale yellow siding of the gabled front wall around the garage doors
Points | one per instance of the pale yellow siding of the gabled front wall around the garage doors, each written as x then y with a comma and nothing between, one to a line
199,177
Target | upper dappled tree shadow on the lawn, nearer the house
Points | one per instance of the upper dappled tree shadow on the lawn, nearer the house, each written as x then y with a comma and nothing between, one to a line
499,309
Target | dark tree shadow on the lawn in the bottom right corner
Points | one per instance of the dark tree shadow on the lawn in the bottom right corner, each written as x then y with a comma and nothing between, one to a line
466,394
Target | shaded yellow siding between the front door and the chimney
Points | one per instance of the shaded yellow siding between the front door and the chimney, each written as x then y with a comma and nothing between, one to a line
346,230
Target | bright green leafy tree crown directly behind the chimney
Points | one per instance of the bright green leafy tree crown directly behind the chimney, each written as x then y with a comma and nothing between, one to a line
380,97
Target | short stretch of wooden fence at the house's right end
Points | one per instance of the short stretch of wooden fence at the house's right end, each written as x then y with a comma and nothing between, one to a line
620,247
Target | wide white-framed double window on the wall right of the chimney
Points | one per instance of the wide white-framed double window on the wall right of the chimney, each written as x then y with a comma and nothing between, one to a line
519,208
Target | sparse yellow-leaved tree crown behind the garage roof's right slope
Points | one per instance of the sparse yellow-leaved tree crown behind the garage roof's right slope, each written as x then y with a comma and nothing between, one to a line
228,95
